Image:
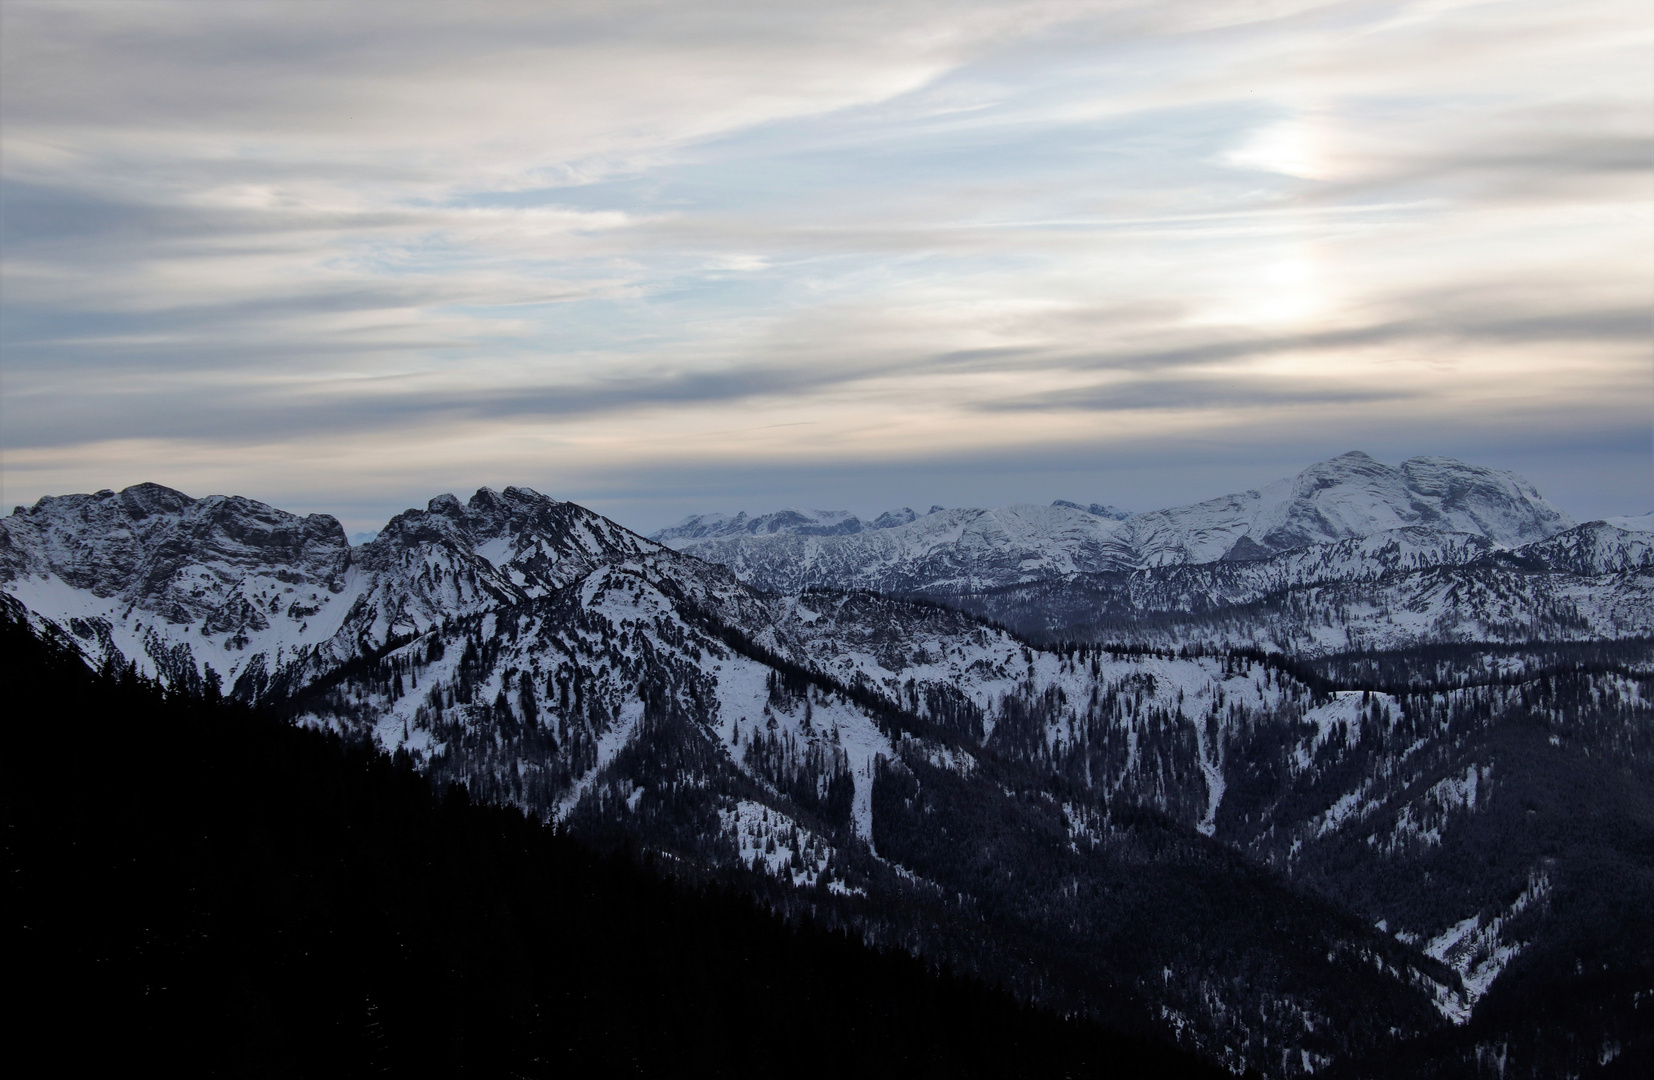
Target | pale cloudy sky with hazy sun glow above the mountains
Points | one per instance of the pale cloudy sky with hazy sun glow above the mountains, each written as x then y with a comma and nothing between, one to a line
664,259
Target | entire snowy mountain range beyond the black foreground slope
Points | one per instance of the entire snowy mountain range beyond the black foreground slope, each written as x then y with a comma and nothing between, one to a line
1208,818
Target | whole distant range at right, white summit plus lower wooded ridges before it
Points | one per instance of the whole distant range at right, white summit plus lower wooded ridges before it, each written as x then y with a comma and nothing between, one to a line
1357,553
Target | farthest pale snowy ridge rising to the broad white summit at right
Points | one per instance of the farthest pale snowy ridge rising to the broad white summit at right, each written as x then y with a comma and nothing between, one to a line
1350,497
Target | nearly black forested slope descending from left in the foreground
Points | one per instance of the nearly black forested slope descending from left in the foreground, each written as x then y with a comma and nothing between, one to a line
199,886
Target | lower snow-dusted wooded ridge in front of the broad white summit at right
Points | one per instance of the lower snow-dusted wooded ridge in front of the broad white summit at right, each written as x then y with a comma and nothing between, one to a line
1385,591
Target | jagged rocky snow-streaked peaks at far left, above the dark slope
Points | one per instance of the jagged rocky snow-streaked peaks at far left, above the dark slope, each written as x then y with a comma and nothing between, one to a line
229,590
